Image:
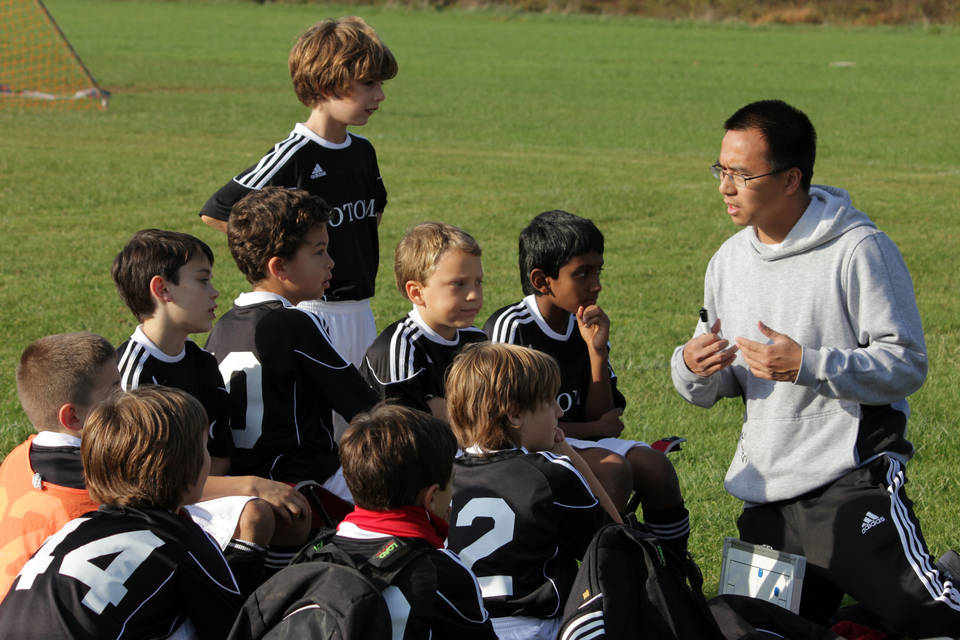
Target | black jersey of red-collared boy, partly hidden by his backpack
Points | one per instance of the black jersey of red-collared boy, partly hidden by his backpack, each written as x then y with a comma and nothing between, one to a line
436,596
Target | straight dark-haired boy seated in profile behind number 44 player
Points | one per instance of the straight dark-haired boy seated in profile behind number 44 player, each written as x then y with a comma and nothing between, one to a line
164,277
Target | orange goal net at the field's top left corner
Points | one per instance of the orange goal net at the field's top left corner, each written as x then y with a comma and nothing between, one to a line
38,66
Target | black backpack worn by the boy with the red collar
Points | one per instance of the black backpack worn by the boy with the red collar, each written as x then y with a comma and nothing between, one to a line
326,593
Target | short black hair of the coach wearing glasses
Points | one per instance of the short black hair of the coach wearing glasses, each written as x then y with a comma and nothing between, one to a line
790,135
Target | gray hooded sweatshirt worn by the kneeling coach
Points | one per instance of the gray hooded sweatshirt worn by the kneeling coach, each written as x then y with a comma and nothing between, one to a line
839,287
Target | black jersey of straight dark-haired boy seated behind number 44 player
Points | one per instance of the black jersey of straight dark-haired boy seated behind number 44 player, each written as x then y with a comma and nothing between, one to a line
193,370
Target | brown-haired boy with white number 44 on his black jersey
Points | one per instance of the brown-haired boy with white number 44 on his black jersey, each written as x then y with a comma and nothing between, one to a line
137,567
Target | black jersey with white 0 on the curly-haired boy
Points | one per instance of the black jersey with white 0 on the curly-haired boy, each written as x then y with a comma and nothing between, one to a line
284,378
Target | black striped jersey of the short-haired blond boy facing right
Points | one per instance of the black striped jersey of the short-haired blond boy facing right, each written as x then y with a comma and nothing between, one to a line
408,361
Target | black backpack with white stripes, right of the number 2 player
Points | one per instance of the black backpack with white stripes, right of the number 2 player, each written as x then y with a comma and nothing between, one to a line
629,586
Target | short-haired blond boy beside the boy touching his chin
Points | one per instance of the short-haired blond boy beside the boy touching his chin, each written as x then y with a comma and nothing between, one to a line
437,267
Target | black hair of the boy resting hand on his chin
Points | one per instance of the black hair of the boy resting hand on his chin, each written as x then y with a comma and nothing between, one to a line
551,240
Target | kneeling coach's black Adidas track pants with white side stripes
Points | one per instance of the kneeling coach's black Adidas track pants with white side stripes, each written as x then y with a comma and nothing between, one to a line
860,537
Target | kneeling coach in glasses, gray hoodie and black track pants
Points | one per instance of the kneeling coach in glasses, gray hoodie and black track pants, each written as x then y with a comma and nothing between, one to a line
828,346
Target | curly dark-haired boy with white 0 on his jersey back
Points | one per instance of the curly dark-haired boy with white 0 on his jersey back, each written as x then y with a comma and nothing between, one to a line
284,376
